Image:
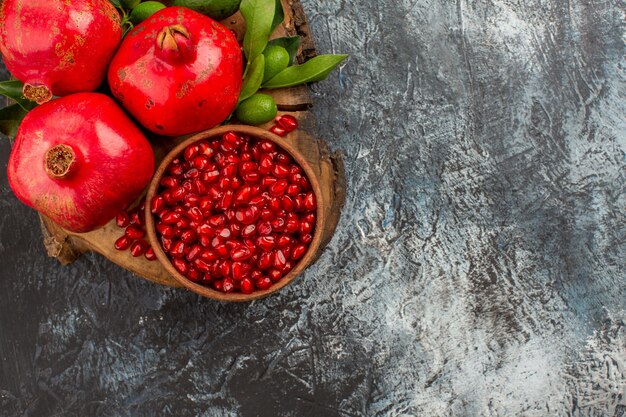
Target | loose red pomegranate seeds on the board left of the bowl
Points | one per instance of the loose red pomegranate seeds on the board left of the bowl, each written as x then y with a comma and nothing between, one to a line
134,233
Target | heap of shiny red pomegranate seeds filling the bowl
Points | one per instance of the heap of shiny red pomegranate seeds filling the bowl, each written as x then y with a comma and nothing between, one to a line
235,213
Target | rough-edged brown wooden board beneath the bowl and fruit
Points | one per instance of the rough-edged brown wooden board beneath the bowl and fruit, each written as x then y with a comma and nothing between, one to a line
67,246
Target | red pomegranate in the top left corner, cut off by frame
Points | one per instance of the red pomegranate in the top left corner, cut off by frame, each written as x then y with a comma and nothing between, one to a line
58,47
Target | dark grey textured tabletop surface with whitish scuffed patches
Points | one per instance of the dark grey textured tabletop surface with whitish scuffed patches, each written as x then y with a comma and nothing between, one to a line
478,268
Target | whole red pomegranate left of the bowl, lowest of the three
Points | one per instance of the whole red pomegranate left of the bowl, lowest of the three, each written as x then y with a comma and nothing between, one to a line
79,160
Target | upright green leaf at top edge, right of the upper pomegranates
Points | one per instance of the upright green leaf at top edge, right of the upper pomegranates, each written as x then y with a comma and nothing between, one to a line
259,15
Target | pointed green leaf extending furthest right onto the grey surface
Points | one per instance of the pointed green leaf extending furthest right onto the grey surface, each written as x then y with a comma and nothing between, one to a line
316,69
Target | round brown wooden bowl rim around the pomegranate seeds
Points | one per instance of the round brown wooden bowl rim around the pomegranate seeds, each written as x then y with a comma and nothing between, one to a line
302,264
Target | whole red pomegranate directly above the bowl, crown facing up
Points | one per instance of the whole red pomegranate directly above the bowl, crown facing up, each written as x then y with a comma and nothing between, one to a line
178,72
